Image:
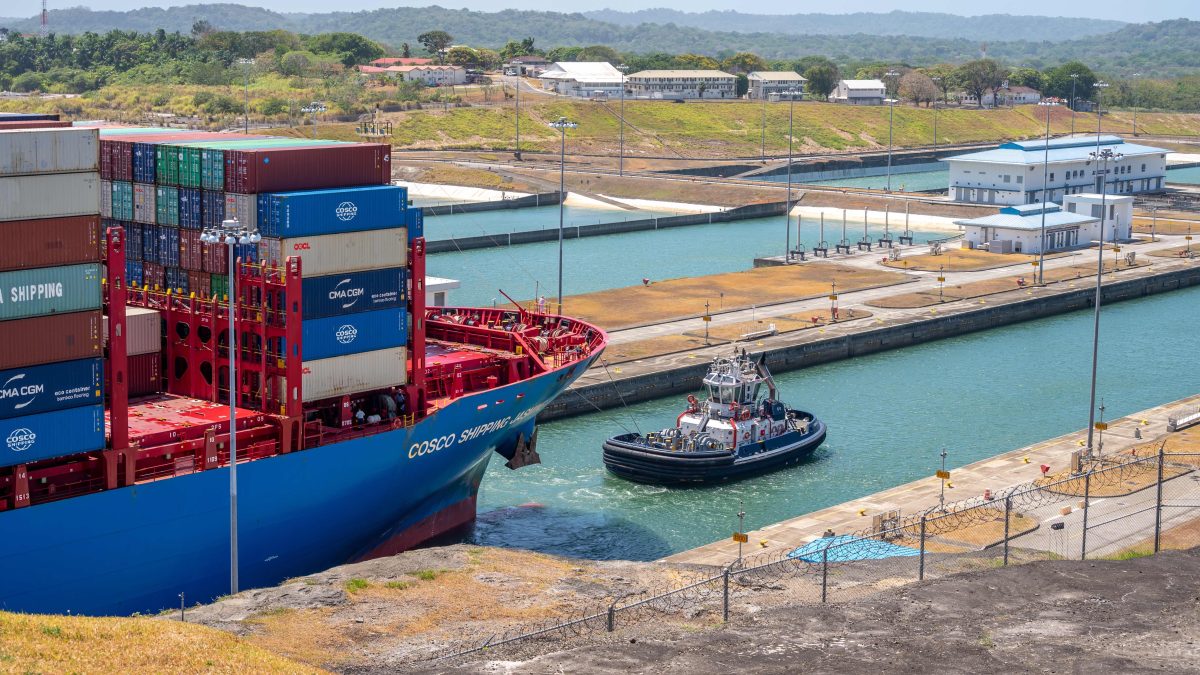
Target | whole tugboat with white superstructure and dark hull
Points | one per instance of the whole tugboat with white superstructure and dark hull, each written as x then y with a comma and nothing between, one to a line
734,434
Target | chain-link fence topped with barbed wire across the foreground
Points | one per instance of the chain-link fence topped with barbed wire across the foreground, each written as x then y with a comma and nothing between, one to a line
1107,509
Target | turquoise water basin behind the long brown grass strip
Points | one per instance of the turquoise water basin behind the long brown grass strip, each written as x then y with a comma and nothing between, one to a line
597,264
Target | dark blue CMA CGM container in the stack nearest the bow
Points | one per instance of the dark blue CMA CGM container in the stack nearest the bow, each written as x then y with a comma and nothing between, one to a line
353,292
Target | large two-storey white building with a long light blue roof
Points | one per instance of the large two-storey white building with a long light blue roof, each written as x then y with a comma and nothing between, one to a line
1013,172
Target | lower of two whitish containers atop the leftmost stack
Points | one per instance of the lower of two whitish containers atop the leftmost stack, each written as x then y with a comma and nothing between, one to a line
53,195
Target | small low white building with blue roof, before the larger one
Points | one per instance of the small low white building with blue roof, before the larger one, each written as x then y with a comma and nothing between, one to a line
1018,230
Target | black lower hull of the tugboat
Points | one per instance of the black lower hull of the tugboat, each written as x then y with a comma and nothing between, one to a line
645,464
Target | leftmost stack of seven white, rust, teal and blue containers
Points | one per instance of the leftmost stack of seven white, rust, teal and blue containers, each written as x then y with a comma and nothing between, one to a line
51,367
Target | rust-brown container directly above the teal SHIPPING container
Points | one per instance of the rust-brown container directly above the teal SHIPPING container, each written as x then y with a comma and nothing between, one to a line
51,242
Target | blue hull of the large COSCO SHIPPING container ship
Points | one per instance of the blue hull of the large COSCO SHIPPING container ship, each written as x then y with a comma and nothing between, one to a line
139,548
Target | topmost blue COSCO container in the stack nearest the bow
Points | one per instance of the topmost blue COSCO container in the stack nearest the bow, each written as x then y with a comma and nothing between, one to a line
331,212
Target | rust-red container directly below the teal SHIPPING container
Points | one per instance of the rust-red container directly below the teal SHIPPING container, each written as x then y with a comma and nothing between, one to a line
50,339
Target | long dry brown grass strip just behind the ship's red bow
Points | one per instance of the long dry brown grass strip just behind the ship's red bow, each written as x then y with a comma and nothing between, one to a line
680,298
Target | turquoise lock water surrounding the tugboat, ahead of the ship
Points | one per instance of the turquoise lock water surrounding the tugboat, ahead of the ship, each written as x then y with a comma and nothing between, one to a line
890,416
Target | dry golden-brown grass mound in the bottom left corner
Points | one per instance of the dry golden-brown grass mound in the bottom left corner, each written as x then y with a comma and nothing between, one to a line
33,643
